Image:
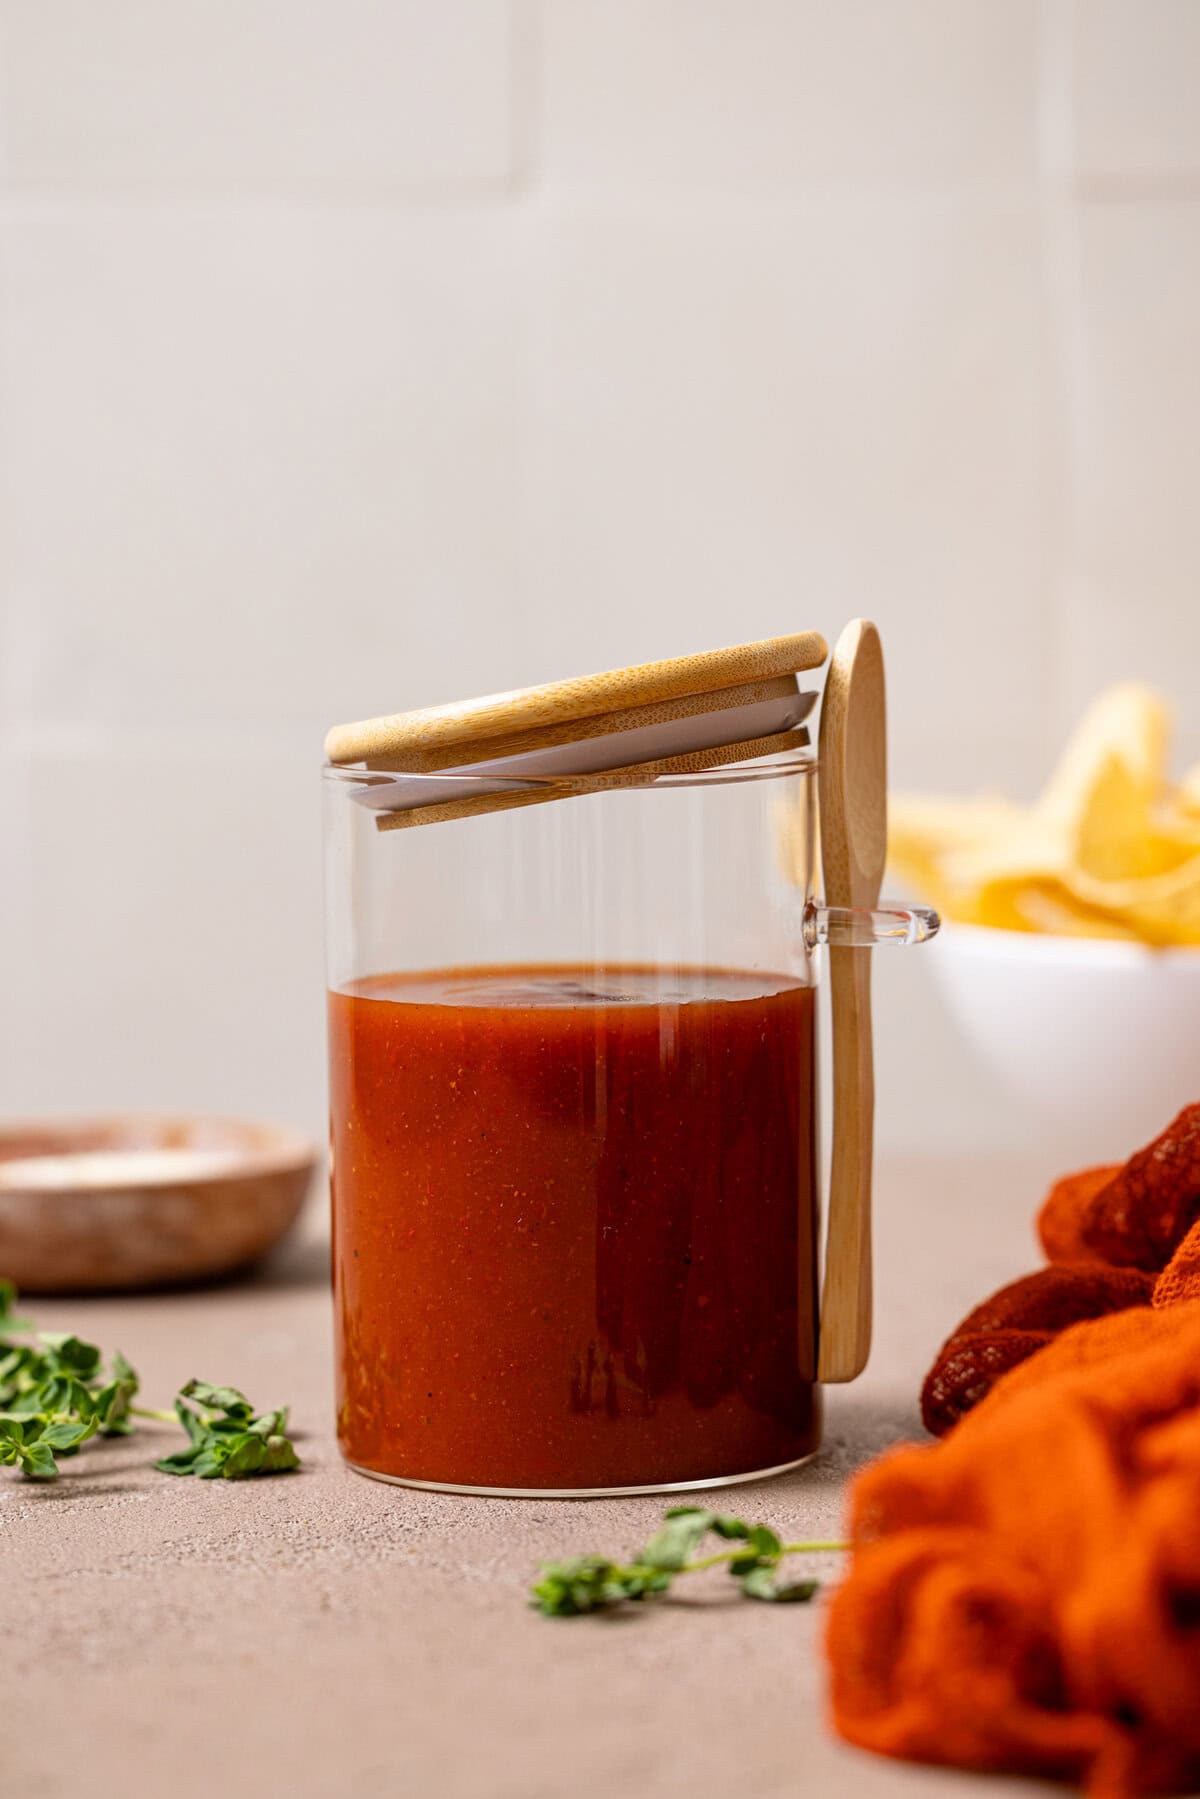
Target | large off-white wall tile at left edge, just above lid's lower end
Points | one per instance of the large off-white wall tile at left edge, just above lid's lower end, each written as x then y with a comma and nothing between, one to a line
244,438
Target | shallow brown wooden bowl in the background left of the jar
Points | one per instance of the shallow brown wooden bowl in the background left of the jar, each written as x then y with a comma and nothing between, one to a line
132,1203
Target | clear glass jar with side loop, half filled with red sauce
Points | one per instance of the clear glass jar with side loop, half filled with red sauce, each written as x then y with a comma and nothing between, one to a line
573,1071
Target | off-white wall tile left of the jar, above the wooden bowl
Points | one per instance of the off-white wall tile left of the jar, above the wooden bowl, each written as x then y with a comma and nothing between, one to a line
177,933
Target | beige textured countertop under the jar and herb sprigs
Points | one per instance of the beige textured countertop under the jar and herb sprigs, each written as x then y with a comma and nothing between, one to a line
330,1636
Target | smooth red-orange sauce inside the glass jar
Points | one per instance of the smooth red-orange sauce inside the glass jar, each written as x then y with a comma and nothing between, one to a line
575,1224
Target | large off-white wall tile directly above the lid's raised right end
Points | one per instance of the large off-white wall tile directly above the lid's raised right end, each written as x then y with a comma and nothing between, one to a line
740,420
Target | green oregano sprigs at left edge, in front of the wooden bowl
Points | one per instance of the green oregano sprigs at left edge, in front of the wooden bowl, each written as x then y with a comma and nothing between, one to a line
55,1395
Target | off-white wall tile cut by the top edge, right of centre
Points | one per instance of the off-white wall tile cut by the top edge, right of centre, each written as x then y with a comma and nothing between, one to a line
900,93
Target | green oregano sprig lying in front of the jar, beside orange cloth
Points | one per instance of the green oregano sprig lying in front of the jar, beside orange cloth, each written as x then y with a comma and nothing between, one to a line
595,1584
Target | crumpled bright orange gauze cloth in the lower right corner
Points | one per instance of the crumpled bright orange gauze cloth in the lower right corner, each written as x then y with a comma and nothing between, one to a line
1026,1593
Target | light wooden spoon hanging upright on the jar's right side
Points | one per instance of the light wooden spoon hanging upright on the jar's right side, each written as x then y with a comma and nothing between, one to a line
854,850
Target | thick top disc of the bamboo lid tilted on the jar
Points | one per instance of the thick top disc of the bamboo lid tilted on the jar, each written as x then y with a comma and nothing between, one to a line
505,724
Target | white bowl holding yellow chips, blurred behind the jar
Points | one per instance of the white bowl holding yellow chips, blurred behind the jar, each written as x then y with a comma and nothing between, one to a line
1100,1041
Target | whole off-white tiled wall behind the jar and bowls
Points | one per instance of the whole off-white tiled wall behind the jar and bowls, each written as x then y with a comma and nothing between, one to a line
368,354
